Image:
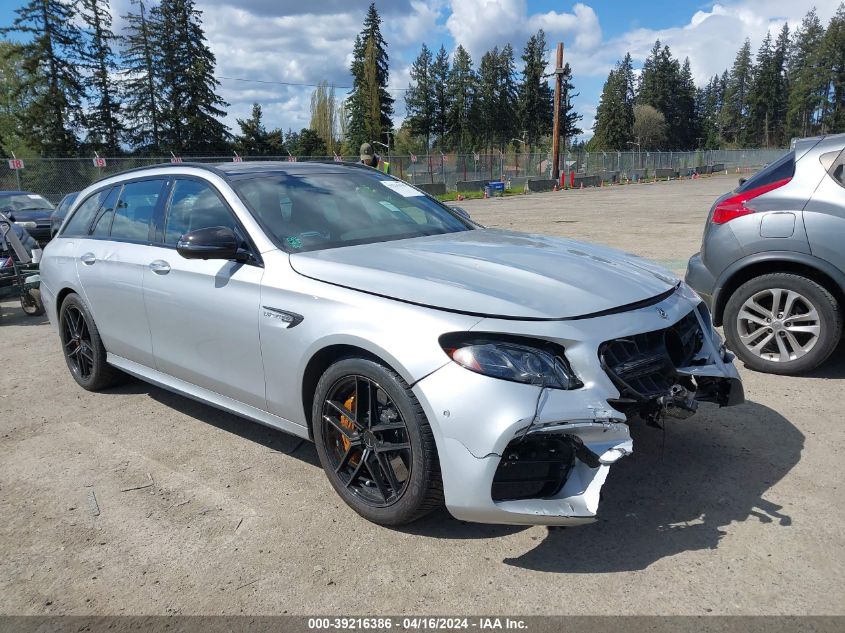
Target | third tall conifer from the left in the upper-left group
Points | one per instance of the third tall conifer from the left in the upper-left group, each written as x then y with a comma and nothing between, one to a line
141,58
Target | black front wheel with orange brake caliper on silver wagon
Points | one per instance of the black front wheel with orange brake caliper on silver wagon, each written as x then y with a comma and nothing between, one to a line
375,444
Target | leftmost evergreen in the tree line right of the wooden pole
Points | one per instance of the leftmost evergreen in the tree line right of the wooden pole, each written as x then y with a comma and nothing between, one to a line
615,113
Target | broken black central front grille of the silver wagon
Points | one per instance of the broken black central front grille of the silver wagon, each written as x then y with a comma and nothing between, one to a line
643,365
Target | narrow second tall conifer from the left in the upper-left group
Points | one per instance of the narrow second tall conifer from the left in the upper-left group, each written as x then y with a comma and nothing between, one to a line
103,123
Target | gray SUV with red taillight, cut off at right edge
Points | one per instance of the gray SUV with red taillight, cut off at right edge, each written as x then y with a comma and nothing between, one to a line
772,261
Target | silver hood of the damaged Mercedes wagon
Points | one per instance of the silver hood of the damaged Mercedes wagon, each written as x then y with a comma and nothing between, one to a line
491,272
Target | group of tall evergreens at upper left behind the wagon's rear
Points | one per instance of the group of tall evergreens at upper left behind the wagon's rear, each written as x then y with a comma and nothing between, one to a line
77,86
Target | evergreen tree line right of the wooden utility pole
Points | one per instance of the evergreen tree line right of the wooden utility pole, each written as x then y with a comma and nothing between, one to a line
794,87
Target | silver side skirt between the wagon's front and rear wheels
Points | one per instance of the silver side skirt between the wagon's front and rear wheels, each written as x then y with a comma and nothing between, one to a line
206,396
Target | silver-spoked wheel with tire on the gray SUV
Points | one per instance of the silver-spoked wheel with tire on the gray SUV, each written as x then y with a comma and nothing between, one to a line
782,323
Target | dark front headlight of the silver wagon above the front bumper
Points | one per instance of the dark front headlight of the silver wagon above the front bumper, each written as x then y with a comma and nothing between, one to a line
516,359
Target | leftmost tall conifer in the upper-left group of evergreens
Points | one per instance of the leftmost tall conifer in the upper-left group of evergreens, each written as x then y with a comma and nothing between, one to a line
52,87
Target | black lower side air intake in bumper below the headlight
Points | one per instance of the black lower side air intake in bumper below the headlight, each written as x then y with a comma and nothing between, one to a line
533,468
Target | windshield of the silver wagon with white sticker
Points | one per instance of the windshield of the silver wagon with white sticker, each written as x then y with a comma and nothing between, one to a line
306,212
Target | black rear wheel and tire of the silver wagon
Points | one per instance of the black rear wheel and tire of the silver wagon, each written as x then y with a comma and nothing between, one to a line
83,348
